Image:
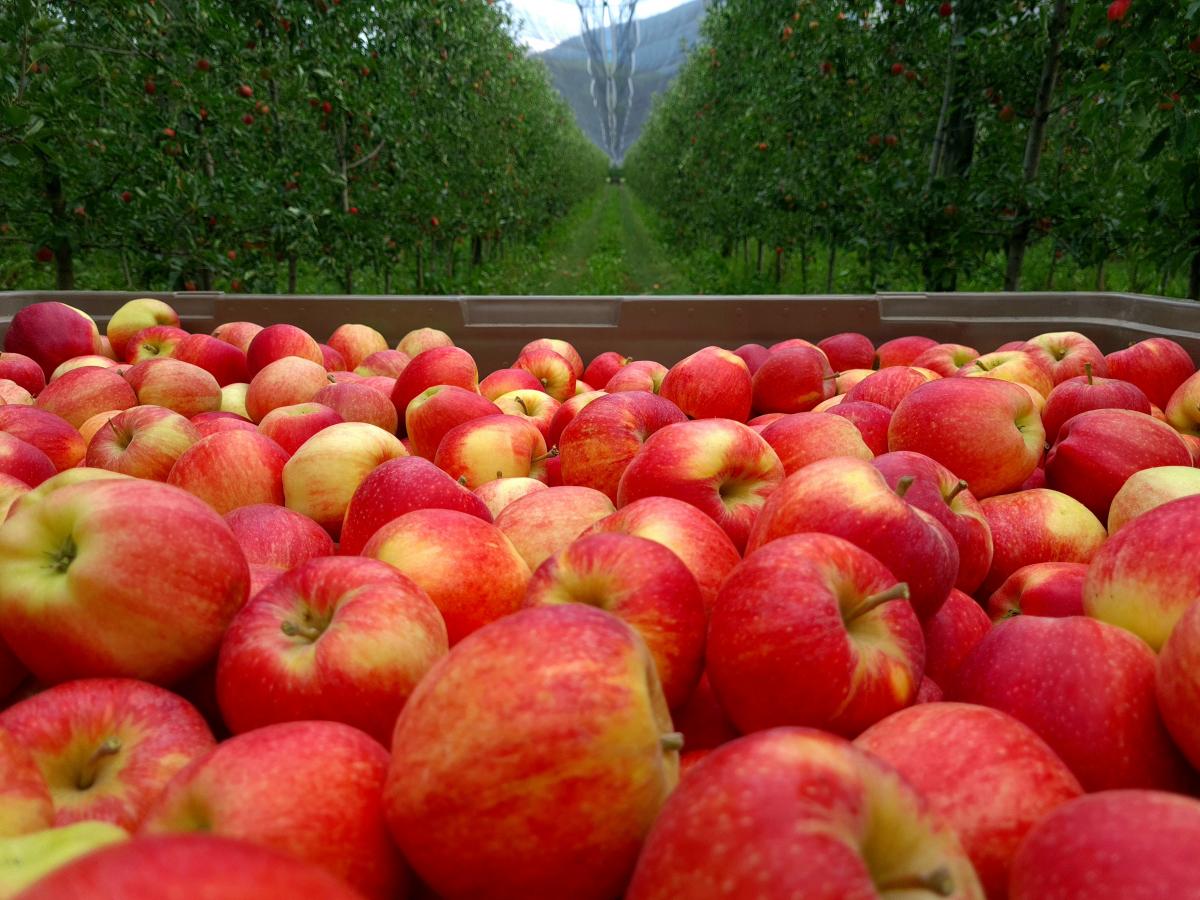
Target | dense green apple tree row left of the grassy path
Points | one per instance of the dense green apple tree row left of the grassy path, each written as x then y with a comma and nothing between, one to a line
375,137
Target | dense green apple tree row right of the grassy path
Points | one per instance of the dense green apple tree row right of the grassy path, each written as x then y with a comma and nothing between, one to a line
899,139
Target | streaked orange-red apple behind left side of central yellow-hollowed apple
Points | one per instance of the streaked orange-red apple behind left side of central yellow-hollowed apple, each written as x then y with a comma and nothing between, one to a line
607,435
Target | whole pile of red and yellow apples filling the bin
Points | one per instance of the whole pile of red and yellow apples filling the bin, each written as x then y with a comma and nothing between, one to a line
346,620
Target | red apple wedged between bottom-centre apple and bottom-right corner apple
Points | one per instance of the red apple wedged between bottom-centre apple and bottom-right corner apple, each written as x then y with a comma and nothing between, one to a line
983,773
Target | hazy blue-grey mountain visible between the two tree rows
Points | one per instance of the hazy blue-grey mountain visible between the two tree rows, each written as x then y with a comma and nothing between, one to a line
645,56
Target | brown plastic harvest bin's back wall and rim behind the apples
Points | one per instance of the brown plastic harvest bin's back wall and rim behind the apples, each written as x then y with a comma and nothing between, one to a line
669,328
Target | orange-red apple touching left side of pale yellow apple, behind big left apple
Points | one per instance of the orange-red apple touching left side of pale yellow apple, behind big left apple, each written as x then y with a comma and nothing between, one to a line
232,470
